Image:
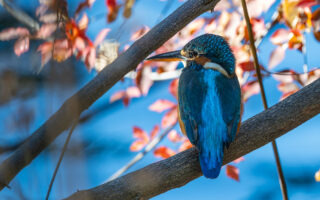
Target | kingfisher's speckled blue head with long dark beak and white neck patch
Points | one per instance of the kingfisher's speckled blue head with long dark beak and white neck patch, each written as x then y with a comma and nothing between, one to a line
208,50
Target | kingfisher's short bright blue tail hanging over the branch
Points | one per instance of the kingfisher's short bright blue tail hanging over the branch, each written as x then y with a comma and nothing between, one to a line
210,163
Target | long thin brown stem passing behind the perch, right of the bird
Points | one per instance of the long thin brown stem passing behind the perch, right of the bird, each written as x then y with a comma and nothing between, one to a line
264,99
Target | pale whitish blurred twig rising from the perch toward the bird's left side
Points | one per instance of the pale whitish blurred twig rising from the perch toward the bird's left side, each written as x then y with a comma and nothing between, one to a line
151,145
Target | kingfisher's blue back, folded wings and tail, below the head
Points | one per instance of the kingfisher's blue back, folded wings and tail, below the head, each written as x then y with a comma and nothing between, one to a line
209,109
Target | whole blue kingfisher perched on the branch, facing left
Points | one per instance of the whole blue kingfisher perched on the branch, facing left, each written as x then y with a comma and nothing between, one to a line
209,98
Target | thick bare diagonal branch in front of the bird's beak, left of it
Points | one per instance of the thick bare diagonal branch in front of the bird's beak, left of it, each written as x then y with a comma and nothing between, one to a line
111,74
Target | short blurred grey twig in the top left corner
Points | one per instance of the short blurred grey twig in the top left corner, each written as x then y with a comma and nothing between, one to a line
20,15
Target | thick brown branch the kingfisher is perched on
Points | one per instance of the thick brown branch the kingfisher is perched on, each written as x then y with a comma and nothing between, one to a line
180,169
